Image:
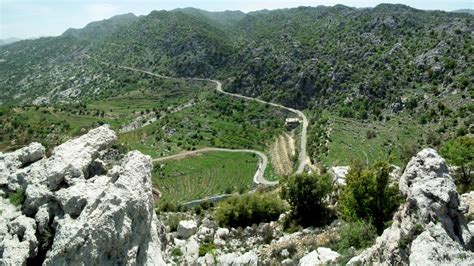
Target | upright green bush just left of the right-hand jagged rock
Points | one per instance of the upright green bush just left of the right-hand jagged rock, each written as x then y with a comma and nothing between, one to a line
368,195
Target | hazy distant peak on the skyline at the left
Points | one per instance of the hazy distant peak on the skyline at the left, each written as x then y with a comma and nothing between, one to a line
102,29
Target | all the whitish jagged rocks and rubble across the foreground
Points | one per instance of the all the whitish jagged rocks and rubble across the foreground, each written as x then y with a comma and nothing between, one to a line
74,208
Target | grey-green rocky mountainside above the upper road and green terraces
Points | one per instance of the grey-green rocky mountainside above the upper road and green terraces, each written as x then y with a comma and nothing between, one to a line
301,57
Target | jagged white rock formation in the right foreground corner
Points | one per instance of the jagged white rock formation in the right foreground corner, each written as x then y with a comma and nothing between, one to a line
429,228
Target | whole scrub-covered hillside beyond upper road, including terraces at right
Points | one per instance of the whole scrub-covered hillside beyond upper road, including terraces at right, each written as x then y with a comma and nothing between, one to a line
352,70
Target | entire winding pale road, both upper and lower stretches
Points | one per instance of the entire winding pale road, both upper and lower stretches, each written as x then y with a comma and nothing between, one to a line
259,178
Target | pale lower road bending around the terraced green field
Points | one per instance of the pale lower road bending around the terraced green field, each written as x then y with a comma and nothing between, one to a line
258,178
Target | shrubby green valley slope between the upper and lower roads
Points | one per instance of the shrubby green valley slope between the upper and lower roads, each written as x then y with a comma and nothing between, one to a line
191,115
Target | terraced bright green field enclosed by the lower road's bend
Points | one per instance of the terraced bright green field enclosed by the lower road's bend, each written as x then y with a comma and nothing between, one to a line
206,174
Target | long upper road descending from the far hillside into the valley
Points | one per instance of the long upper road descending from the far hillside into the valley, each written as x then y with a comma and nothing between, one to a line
303,158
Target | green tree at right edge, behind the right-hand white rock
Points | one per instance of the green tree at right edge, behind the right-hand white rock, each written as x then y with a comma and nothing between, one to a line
460,152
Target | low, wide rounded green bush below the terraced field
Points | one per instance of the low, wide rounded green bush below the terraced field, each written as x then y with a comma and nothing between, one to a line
248,209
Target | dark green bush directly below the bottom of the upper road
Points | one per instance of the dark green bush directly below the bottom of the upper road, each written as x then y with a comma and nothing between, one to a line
306,194
